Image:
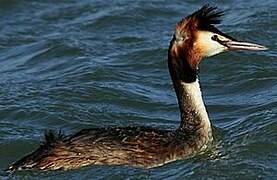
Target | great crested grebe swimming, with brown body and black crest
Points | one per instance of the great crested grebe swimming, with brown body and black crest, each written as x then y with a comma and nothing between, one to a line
195,37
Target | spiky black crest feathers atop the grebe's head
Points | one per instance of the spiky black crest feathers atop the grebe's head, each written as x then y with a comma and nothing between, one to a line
207,16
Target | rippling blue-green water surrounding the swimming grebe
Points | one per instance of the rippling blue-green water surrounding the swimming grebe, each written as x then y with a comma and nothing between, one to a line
76,64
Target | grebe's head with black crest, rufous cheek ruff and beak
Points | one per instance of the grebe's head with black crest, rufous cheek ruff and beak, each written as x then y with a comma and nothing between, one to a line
196,37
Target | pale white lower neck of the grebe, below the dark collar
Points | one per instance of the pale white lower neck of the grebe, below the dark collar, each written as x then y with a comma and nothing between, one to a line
194,117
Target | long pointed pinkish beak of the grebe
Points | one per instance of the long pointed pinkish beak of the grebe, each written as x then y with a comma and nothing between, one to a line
237,45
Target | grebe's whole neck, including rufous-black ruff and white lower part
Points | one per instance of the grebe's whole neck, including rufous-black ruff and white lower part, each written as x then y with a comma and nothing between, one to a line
183,72
